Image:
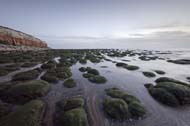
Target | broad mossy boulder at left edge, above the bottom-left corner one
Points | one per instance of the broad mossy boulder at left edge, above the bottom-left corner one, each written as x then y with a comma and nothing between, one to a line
23,92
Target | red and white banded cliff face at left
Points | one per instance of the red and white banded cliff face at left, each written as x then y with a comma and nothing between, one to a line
13,37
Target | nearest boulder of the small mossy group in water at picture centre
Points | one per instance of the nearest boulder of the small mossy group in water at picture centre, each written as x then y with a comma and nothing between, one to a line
97,79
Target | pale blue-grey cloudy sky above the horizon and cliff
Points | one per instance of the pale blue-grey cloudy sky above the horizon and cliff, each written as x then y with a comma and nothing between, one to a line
134,24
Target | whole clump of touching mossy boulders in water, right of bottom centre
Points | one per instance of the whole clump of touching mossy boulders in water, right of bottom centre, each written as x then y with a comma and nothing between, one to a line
122,105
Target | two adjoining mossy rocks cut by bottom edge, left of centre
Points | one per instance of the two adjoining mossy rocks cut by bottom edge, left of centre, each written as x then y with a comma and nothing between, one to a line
71,112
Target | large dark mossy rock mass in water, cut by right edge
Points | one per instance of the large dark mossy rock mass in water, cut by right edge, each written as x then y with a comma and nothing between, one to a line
170,91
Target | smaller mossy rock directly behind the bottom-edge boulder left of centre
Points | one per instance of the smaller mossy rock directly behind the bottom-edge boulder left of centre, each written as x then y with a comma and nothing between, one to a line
71,103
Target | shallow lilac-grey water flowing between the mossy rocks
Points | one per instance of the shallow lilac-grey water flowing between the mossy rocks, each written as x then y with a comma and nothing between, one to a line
130,81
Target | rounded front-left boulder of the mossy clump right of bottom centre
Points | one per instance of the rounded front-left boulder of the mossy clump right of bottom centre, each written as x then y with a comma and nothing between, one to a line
116,108
